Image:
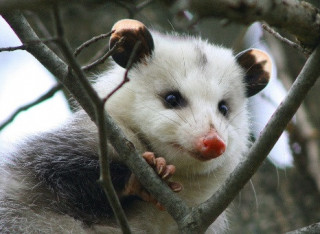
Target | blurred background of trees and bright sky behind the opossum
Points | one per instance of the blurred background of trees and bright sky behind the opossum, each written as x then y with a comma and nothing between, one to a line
284,194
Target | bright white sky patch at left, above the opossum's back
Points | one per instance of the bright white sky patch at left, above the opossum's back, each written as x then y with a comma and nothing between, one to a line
22,80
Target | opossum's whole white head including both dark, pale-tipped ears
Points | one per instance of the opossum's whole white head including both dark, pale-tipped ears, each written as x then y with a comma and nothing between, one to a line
187,99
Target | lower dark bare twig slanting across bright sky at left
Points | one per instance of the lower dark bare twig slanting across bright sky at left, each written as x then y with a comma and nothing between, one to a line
42,98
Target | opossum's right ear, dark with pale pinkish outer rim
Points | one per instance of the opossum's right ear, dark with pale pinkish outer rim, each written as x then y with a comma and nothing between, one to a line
257,66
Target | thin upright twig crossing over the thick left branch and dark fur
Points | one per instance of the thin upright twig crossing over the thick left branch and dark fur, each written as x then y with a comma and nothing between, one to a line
105,177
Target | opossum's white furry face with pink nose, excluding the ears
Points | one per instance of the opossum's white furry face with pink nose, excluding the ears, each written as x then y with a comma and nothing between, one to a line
189,104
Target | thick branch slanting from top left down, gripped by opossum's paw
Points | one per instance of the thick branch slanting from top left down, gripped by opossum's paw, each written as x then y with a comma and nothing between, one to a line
145,174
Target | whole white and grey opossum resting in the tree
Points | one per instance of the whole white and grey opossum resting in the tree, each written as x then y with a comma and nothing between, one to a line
185,111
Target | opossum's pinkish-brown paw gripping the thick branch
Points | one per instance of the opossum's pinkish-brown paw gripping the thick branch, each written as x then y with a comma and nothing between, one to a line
133,187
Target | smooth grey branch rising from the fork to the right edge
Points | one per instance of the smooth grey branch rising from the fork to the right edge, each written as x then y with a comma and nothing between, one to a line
208,211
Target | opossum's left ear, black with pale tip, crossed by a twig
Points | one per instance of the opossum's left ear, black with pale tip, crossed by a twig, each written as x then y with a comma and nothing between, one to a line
132,32
